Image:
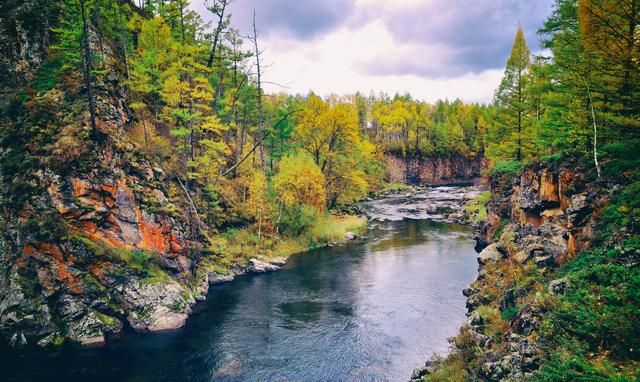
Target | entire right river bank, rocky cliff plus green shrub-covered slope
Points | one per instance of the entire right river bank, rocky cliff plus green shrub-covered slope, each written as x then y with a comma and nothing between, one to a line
548,249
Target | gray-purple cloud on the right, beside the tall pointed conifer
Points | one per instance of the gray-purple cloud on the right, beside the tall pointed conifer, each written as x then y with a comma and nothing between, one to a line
478,34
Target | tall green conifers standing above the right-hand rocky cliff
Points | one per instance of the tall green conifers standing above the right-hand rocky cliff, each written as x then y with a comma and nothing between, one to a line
583,97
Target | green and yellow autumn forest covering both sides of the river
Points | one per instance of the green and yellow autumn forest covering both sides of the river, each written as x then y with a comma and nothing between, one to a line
278,173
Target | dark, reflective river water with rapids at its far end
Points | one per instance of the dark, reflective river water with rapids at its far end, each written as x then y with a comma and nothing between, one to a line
371,310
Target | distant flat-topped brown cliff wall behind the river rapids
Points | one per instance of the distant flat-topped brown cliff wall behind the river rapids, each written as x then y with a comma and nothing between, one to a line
437,170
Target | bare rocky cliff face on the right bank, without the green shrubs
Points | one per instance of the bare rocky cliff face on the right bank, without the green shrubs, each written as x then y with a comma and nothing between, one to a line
537,221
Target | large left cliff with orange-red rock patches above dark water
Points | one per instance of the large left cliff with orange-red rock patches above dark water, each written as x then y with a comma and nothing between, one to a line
94,237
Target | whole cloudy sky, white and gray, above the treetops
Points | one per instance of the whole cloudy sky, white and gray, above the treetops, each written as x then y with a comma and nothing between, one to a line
433,49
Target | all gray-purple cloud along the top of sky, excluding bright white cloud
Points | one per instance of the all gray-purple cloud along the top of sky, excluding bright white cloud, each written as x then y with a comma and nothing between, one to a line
474,35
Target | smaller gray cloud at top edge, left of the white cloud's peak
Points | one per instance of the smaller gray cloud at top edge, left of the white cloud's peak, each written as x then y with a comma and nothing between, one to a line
300,19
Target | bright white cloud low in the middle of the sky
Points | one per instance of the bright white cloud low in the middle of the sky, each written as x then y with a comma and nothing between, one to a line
334,64
